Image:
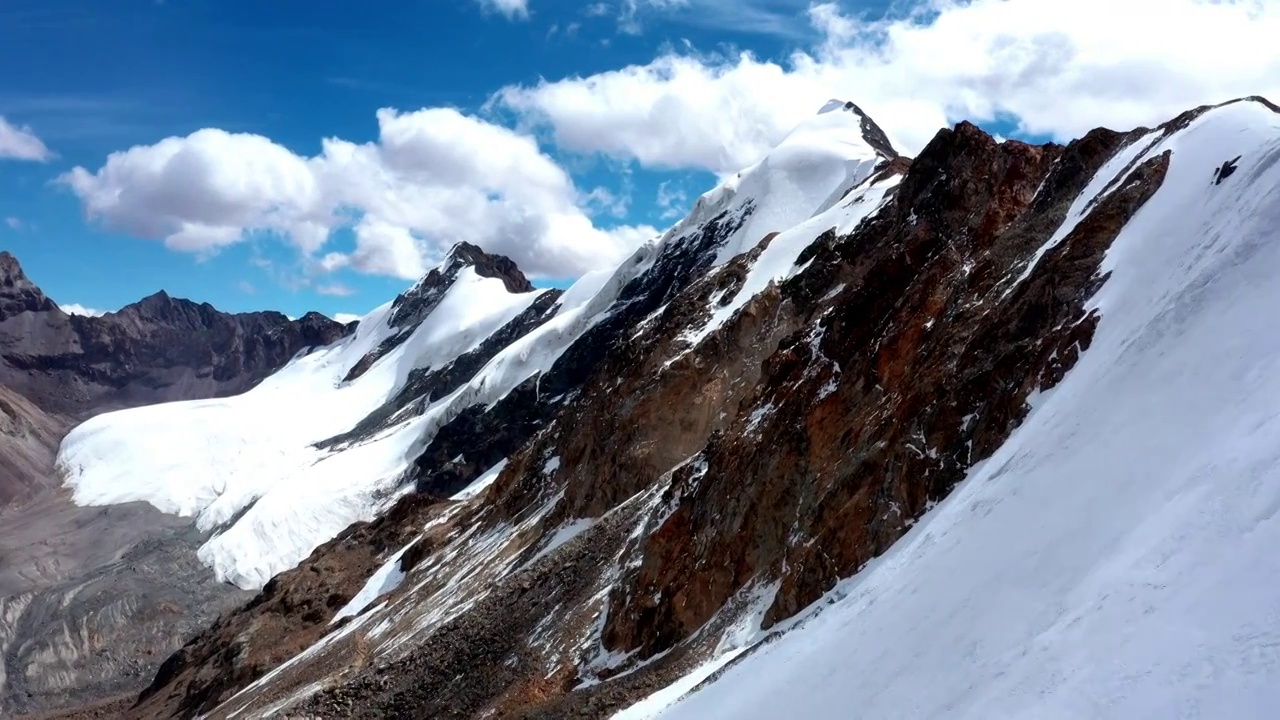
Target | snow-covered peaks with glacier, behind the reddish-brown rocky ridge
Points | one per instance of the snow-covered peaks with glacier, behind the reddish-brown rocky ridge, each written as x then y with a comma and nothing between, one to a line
269,471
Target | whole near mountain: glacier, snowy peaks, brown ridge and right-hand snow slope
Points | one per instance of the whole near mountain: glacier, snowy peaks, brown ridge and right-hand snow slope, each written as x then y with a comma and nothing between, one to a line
982,434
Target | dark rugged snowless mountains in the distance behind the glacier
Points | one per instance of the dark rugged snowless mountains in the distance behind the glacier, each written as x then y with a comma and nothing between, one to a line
159,349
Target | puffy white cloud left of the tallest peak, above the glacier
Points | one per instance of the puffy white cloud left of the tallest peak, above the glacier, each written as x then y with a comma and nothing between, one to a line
435,177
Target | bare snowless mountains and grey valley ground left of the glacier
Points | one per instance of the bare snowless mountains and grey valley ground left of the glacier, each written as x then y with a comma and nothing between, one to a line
92,600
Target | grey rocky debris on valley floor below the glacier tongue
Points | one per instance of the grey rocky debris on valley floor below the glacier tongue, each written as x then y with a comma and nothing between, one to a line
95,599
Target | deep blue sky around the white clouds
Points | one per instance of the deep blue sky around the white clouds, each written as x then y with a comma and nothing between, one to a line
108,75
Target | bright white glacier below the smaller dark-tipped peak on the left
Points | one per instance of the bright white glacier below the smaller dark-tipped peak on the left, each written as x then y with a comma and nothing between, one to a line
250,461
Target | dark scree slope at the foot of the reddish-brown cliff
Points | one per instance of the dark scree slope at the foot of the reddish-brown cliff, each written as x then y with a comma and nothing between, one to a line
500,635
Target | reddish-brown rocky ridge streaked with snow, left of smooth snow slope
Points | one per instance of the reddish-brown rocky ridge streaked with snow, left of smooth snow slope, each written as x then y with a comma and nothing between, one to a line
743,414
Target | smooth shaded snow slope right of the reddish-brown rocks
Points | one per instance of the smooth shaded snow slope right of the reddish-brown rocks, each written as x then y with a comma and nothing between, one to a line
1117,557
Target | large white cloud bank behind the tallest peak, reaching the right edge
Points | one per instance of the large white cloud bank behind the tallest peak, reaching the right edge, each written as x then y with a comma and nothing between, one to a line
1055,67
